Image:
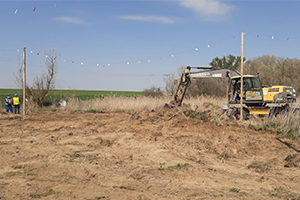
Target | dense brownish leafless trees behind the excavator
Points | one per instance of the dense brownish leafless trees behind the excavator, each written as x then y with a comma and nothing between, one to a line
272,71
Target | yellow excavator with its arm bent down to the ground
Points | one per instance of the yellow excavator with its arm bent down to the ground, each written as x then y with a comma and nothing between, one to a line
257,100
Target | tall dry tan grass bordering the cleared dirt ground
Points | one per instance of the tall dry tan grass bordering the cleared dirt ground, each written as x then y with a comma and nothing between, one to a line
286,124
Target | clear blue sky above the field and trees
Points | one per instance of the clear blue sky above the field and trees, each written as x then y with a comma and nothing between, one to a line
154,33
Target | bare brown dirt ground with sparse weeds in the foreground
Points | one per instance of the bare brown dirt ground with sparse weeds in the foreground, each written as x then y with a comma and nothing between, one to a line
142,156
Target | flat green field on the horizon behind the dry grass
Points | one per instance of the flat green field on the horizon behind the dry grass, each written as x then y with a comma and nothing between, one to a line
56,95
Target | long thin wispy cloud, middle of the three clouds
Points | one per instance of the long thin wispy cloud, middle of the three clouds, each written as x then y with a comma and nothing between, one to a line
151,18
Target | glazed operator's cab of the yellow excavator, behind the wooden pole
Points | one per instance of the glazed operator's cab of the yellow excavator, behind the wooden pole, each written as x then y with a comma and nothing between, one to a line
252,90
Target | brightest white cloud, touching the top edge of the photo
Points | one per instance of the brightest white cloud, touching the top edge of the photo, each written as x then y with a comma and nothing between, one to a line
209,9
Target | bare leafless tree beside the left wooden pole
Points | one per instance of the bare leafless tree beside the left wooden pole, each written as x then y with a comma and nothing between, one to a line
42,84
